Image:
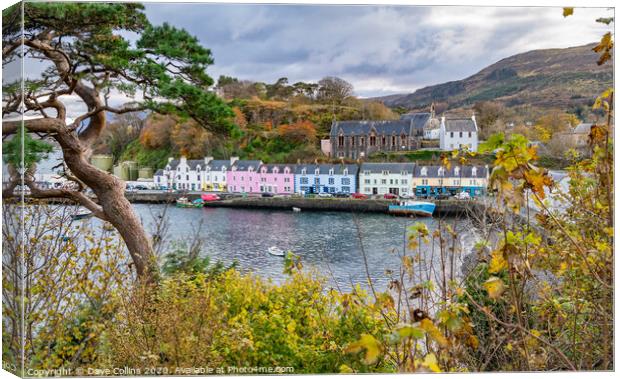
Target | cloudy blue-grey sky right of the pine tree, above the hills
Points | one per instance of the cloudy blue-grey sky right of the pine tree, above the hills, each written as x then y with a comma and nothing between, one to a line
381,50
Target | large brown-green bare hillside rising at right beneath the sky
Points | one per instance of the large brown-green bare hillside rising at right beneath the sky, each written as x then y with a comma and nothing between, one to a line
550,78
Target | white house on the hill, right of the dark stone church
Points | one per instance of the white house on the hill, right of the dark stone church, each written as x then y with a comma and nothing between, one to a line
458,133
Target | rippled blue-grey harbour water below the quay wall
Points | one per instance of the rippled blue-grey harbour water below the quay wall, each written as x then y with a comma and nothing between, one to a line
329,242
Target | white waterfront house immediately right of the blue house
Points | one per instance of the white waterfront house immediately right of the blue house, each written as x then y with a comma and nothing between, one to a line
382,178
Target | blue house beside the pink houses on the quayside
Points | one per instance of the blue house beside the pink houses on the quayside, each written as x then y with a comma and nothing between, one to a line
325,178
